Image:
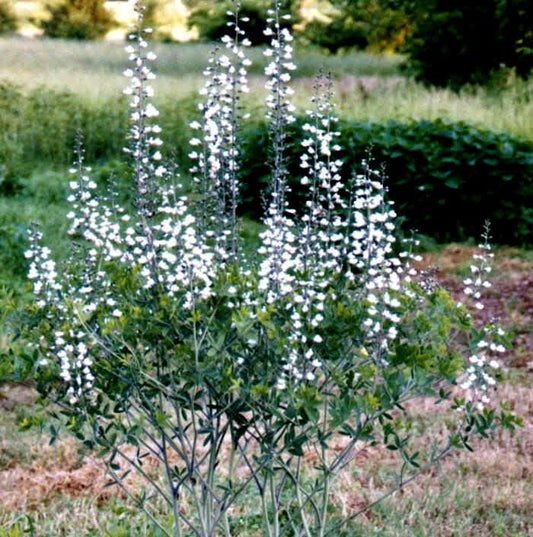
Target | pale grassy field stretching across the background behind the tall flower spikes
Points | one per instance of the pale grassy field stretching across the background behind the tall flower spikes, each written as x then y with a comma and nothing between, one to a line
368,87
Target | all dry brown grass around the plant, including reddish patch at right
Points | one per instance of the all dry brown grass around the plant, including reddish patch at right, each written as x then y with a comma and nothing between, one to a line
500,470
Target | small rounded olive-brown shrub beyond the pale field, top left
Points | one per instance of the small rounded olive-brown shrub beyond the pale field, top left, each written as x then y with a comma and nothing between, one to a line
78,19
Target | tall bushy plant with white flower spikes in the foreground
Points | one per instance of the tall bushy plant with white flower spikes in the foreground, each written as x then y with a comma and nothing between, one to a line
216,375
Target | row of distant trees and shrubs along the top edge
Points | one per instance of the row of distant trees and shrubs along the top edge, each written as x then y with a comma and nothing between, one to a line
450,43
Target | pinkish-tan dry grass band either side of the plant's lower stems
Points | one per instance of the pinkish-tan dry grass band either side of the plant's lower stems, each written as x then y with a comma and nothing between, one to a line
500,467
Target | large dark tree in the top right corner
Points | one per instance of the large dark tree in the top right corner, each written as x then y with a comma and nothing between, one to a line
457,42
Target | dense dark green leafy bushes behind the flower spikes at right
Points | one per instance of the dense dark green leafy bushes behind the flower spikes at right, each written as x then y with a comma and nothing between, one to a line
446,178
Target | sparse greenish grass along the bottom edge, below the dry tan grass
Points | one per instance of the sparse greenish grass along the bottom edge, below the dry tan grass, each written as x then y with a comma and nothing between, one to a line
452,512
